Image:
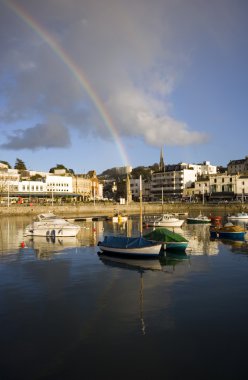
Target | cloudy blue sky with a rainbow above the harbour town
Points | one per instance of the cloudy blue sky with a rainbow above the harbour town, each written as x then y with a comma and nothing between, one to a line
97,84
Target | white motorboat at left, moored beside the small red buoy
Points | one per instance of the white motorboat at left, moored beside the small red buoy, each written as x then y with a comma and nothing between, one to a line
51,225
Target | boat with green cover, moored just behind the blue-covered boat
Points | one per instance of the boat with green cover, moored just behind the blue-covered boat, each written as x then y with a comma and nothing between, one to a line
170,240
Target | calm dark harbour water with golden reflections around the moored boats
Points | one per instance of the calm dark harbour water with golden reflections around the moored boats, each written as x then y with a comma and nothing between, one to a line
67,313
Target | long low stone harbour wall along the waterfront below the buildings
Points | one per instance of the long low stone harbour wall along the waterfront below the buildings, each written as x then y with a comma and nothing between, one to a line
101,209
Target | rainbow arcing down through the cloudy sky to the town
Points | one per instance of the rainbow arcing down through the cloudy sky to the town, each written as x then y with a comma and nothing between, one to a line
74,70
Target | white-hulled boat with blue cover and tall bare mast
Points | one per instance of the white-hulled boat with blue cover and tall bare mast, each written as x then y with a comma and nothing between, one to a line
131,246
